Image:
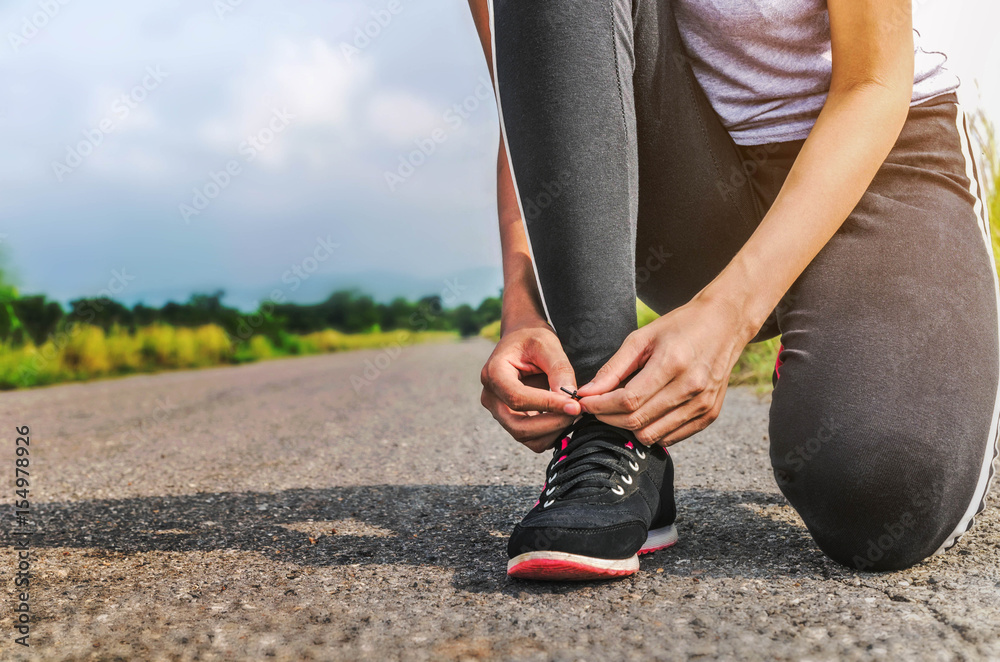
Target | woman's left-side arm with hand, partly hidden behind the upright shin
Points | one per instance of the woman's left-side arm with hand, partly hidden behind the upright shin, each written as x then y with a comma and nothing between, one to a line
524,374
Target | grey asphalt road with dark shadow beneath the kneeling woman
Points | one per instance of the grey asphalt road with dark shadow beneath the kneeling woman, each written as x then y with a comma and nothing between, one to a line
271,511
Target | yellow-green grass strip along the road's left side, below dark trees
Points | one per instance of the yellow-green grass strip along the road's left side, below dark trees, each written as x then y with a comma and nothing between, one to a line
85,352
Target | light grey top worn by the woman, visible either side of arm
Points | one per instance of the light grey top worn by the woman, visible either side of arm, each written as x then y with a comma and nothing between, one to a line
765,64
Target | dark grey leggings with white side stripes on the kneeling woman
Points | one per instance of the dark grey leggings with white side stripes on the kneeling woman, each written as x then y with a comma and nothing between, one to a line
884,419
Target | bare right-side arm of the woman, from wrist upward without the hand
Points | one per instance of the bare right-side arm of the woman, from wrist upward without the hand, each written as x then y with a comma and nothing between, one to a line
868,102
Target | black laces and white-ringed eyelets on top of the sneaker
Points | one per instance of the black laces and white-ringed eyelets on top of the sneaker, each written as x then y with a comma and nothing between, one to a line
587,461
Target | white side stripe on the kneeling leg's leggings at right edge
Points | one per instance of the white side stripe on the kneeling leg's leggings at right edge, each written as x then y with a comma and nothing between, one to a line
987,472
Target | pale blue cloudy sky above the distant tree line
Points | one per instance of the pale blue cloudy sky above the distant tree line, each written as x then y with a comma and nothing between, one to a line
156,149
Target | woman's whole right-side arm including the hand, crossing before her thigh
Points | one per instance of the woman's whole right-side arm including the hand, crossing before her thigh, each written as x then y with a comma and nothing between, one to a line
686,356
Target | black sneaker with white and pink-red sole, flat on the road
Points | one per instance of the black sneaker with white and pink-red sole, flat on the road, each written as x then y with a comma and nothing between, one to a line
606,499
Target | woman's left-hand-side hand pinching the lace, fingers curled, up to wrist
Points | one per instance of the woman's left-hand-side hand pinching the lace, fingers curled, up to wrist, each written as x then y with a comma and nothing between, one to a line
521,385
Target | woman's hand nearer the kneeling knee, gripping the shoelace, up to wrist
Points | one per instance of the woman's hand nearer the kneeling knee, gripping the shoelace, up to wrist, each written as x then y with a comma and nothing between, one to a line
685,357
